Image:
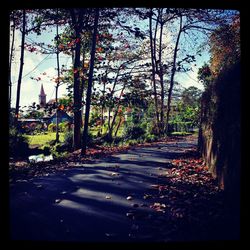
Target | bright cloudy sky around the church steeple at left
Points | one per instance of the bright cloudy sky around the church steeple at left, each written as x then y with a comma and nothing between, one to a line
34,66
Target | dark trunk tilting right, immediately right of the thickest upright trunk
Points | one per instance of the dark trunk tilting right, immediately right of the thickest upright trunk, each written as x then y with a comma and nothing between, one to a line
90,81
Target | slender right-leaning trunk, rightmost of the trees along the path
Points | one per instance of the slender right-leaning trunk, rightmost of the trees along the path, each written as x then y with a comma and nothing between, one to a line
172,75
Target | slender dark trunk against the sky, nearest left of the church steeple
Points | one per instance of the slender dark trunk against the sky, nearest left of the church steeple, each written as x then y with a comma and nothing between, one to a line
20,71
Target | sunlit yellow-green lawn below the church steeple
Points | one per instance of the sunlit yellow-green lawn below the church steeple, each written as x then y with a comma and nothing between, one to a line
43,139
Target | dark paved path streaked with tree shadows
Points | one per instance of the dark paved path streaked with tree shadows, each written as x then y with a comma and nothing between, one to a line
108,200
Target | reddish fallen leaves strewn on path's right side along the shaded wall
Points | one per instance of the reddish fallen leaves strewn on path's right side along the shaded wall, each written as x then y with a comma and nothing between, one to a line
186,205
